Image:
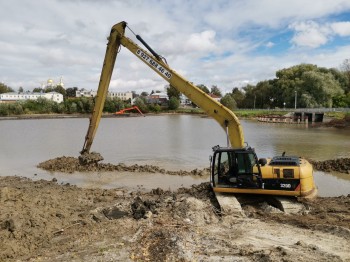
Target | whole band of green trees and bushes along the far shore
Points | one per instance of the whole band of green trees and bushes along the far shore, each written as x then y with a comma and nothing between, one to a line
301,86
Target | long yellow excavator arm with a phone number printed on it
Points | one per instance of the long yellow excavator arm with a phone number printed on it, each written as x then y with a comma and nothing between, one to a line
225,117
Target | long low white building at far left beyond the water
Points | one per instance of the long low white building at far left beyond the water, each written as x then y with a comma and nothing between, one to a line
13,97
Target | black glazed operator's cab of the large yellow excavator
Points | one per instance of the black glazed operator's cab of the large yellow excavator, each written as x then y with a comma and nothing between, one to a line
235,168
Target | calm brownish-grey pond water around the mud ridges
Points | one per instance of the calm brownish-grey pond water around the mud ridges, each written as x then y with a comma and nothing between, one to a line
173,142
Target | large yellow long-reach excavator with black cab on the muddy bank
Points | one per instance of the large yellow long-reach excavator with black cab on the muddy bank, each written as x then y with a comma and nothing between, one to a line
234,168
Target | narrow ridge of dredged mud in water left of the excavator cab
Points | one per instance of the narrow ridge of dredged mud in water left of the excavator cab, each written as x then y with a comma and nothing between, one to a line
71,164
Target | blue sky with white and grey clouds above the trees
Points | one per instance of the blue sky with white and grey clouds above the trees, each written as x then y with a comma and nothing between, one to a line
226,43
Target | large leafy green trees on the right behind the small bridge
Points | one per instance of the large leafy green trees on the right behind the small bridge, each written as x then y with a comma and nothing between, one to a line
301,86
